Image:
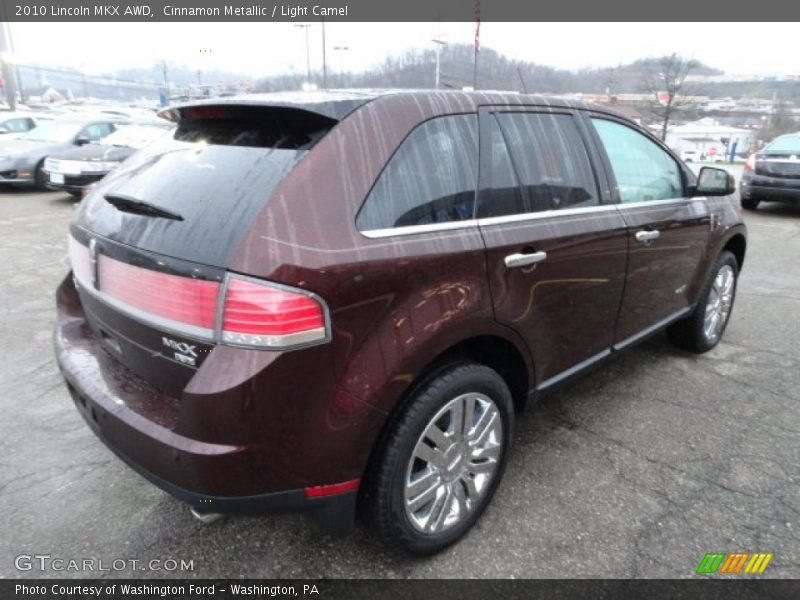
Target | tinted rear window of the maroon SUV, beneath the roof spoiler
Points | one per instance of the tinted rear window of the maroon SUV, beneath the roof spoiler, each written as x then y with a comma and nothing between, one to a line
216,171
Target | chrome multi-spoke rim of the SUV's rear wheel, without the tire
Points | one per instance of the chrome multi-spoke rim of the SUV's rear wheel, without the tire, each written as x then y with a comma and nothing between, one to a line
453,463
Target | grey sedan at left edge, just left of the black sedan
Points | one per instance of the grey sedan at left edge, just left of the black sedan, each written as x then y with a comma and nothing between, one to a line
22,159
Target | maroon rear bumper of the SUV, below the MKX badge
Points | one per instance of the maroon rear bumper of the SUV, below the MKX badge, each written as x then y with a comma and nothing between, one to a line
123,411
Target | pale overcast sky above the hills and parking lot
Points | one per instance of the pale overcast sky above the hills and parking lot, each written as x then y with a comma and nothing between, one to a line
258,49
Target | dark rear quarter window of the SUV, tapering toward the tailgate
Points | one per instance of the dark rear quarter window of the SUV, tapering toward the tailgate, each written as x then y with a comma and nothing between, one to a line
430,179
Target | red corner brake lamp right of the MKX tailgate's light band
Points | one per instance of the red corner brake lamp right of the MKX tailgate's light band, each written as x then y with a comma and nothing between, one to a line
267,315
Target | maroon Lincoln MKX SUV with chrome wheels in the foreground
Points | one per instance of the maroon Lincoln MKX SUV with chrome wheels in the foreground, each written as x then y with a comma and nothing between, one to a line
324,302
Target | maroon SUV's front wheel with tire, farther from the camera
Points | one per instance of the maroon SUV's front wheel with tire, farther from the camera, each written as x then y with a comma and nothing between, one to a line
703,328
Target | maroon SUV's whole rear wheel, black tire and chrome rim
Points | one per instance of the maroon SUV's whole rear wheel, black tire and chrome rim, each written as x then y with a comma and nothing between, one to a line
442,459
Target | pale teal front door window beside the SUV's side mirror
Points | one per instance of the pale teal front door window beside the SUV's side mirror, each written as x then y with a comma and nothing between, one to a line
644,171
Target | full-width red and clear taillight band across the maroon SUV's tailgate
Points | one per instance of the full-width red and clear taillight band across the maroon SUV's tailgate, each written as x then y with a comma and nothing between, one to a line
242,311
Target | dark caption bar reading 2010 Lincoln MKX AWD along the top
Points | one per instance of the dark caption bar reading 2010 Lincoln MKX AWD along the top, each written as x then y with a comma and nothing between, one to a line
397,11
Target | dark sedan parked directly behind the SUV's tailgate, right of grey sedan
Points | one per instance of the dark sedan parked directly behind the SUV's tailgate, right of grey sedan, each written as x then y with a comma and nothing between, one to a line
78,168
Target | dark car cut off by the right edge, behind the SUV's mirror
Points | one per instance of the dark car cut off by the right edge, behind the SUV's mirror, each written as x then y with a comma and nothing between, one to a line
772,174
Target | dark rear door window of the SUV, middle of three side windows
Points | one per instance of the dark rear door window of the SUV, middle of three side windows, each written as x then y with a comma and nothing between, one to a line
550,160
